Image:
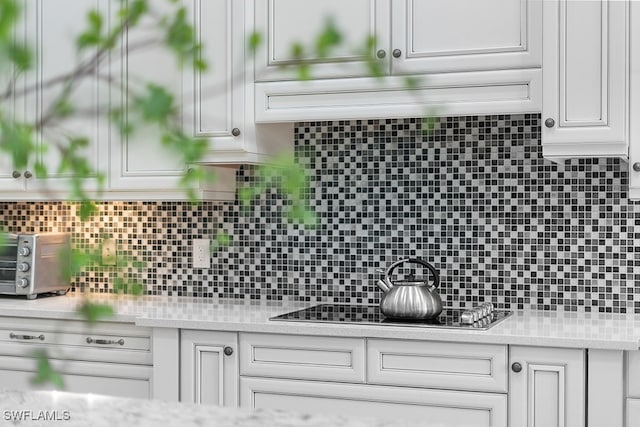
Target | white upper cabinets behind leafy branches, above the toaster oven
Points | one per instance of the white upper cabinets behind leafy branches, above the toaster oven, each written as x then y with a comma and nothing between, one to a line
216,105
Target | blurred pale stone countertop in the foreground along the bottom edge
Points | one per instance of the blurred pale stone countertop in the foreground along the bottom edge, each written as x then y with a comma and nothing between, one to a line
47,408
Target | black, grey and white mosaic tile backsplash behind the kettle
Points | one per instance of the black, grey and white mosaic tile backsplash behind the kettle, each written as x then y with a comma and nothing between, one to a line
474,197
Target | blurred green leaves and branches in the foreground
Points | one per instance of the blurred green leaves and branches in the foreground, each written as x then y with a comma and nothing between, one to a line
150,106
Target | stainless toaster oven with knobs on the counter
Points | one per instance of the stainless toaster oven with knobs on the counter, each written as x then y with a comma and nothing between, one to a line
34,263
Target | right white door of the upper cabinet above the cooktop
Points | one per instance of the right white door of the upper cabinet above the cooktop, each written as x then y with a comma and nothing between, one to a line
465,35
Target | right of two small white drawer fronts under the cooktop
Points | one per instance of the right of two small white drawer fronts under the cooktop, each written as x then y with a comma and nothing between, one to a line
437,365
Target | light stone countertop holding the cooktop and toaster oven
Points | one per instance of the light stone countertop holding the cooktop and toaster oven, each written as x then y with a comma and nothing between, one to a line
527,327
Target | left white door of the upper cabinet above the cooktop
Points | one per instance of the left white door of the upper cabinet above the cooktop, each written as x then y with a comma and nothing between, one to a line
285,22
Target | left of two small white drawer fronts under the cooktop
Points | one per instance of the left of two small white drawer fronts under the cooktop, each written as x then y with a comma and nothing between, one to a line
304,357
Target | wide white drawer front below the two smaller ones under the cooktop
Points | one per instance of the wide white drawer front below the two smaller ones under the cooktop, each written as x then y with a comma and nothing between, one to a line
439,407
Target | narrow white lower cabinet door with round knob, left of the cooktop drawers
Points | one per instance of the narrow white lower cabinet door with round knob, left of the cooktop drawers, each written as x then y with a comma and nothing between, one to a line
209,367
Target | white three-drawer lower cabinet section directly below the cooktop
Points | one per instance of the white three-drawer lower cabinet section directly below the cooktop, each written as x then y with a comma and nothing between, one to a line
389,379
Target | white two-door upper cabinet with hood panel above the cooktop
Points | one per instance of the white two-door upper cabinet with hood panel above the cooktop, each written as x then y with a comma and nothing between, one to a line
469,57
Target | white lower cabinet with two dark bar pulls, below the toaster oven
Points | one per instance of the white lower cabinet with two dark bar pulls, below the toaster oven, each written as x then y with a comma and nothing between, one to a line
111,358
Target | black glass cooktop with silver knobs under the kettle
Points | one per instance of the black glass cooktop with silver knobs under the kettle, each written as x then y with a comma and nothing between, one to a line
370,314
